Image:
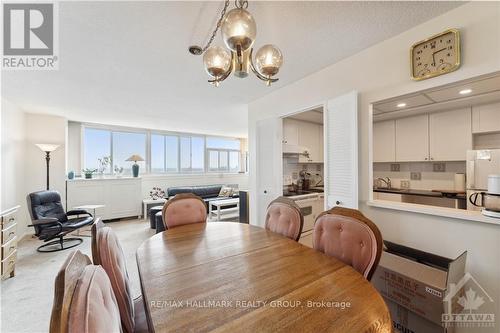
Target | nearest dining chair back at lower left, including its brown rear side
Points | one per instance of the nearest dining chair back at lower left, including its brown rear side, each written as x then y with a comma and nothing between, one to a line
83,298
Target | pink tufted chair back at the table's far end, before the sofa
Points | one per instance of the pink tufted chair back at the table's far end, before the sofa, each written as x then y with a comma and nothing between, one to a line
185,208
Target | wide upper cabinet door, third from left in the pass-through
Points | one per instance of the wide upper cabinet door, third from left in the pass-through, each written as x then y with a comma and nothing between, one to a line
450,135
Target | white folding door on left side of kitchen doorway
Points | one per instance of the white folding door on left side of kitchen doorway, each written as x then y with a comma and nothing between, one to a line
269,164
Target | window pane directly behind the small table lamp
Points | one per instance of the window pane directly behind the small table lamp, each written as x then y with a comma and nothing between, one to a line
126,144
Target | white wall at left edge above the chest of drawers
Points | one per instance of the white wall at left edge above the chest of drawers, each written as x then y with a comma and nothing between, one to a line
13,161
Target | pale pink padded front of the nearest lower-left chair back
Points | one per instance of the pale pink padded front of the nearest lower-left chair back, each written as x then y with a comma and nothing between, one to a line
94,307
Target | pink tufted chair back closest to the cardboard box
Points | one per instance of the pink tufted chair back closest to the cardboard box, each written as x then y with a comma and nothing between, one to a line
349,236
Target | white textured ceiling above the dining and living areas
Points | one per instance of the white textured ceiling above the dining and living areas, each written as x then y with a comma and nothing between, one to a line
126,63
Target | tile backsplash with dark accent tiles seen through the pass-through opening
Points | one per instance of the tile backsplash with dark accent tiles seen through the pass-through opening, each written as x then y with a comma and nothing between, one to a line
433,175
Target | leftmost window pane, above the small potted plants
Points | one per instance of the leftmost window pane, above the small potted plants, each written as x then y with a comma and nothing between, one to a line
97,144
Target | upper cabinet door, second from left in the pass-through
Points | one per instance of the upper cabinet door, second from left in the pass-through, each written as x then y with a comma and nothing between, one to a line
412,139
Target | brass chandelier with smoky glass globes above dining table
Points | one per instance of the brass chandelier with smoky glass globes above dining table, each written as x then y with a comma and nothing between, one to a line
238,30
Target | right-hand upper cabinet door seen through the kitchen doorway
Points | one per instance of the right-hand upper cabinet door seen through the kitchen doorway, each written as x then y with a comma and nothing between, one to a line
309,137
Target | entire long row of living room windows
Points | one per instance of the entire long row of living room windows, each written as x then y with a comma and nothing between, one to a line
163,153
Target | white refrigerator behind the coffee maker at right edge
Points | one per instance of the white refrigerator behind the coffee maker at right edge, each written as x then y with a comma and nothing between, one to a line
480,164
